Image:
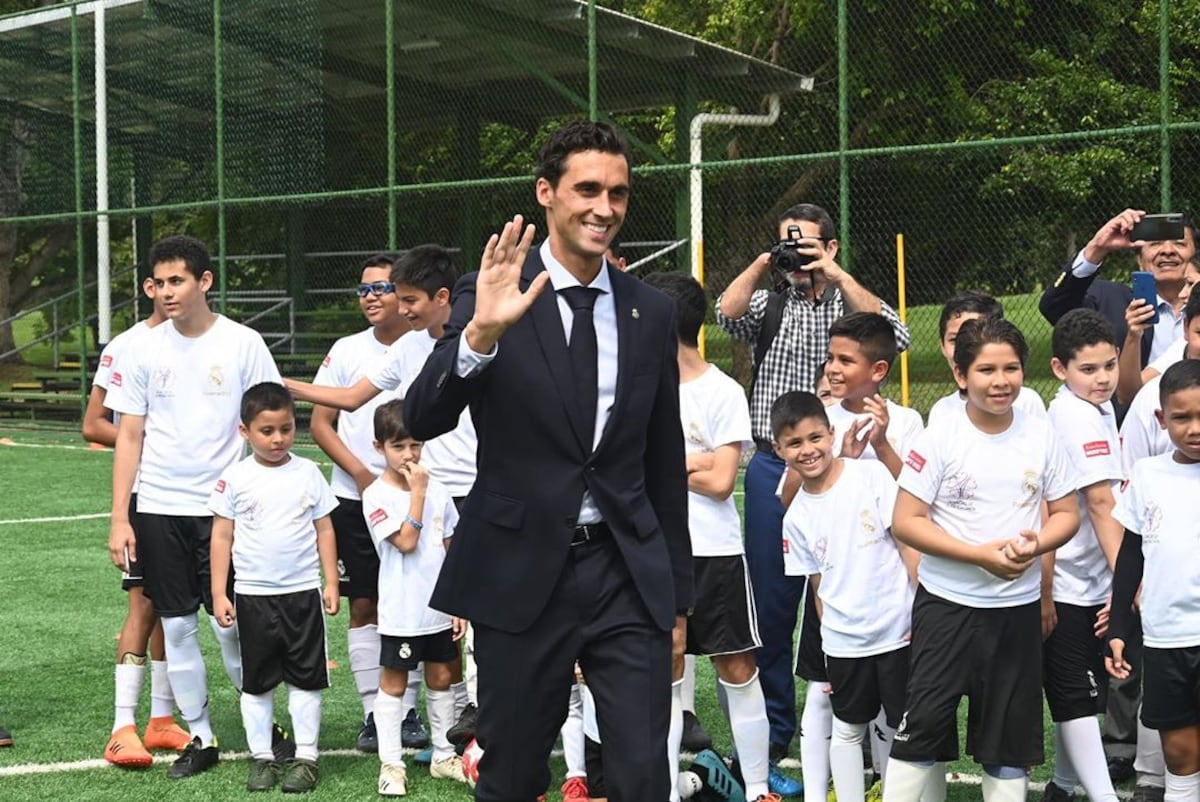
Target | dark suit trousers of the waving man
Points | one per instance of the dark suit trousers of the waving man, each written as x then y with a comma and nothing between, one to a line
595,615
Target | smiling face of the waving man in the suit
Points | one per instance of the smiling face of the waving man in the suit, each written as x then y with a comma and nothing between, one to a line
586,208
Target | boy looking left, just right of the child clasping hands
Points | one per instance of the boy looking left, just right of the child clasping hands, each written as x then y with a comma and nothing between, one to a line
1077,578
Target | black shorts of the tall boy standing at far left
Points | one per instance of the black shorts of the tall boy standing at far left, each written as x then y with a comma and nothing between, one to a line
175,555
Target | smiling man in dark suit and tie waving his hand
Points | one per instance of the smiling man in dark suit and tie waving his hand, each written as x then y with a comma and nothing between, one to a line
573,543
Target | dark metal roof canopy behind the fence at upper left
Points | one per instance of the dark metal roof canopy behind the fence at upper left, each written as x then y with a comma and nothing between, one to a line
514,62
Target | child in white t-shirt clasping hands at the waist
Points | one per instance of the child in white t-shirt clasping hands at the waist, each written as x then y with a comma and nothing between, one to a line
971,498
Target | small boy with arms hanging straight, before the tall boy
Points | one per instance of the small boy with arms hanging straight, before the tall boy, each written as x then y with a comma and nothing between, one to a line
272,523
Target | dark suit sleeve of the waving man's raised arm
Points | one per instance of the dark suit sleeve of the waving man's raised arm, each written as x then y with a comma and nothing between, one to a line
437,397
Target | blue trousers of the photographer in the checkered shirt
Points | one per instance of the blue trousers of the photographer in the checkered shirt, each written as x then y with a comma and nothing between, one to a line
777,597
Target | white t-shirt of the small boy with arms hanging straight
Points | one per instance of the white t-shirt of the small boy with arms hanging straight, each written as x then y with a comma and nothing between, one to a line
274,511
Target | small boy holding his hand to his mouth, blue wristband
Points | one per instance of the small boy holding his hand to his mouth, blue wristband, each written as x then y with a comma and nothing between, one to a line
412,519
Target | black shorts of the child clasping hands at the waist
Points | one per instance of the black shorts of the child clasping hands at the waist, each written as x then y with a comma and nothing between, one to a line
994,657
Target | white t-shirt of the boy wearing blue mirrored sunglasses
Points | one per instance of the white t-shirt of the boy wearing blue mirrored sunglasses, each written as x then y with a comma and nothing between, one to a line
351,360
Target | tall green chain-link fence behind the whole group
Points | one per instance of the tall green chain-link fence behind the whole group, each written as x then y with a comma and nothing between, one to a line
298,136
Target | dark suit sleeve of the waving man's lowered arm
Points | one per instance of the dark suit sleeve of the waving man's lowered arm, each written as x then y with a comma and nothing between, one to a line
667,474
